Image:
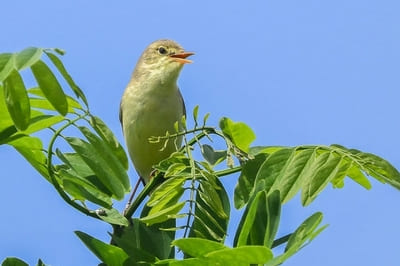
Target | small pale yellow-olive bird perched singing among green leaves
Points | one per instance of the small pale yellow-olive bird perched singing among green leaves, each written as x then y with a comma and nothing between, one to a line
152,103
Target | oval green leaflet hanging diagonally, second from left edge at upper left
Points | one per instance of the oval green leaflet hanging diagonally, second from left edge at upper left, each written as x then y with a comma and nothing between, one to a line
50,87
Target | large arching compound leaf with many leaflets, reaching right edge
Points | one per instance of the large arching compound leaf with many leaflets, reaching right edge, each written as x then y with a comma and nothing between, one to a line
310,169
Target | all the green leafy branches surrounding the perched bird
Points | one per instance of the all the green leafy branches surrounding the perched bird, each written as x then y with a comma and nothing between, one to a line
85,163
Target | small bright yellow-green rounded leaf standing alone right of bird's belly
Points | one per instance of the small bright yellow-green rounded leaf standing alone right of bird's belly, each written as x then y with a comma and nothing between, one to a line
238,132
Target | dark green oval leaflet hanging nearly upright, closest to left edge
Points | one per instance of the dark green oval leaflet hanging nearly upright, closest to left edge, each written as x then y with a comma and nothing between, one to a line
17,100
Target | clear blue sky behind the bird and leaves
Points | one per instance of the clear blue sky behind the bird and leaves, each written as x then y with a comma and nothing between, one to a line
297,72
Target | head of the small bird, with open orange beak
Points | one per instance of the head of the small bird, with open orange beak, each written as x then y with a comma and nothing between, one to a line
162,59
